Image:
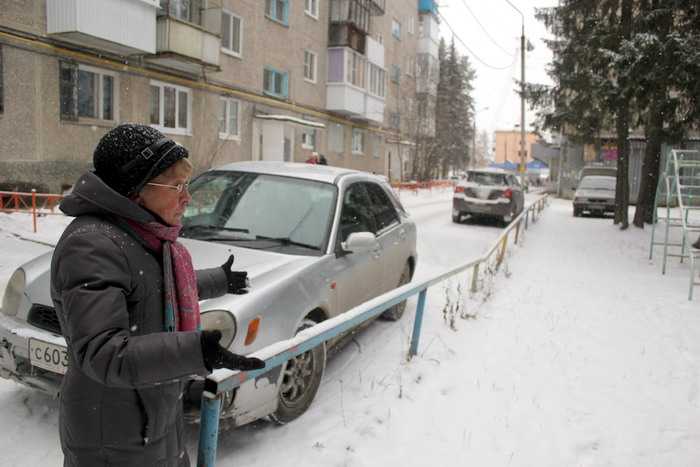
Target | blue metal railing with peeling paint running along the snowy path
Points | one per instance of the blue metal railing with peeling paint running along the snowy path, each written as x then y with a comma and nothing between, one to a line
221,381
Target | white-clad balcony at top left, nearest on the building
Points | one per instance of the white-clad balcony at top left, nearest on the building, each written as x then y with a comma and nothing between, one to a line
122,27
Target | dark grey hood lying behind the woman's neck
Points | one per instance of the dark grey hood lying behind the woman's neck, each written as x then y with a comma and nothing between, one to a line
92,196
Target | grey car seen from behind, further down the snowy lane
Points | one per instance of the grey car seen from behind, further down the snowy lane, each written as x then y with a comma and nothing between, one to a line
488,193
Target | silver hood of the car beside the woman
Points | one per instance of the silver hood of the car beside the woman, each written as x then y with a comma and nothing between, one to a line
263,267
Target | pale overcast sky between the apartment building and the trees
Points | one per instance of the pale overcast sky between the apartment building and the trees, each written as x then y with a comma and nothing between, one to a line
497,45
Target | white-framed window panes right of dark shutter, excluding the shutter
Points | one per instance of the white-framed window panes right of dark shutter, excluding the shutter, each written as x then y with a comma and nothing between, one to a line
97,93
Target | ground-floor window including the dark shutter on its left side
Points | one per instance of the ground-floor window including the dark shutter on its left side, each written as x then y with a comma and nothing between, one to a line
87,92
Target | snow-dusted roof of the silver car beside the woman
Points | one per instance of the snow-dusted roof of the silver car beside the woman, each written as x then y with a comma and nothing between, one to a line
317,172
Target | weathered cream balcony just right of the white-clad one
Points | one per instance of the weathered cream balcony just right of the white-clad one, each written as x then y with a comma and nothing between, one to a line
186,46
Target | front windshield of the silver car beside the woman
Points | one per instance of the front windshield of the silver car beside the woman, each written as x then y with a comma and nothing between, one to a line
260,211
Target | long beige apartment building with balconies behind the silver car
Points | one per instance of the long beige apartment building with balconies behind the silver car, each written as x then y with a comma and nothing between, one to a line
229,79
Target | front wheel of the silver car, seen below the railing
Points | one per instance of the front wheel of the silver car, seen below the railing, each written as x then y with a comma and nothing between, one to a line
301,377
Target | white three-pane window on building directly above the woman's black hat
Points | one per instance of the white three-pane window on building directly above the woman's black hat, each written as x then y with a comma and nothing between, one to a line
170,108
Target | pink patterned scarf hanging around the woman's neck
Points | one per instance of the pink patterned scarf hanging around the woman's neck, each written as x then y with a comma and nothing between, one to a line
181,299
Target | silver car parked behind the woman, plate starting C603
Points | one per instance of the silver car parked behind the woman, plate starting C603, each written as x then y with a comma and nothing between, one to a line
316,241
